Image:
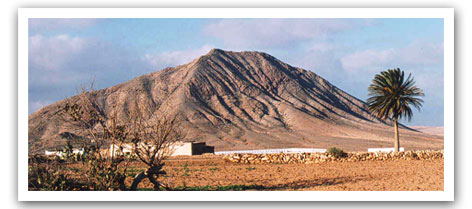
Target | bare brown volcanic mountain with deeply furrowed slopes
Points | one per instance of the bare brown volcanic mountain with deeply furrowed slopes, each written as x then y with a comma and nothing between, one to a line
242,100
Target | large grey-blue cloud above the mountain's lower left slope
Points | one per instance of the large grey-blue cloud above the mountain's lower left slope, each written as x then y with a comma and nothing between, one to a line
60,64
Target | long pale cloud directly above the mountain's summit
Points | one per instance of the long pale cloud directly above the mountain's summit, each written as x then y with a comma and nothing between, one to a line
276,32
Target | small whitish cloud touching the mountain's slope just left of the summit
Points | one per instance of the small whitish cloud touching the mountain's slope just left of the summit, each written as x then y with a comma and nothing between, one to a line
173,58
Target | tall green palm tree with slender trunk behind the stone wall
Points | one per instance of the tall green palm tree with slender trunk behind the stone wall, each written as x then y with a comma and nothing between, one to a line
391,96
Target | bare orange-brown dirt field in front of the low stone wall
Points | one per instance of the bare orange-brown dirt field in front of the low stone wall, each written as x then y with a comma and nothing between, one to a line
397,175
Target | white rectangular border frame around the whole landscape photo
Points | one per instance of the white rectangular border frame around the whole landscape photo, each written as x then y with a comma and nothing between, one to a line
446,13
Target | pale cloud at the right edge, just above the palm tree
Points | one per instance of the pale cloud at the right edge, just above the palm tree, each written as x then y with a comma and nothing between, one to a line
413,55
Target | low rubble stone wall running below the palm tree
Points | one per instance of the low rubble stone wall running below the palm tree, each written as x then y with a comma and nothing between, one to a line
308,158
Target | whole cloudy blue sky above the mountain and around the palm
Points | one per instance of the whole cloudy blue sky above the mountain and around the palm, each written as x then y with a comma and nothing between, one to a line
65,54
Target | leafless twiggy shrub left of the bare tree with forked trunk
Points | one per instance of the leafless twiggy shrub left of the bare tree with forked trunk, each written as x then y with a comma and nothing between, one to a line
104,169
